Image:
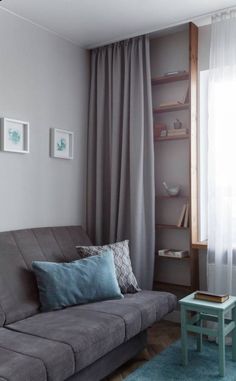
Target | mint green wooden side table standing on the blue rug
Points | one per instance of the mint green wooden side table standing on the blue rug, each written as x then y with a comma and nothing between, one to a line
201,310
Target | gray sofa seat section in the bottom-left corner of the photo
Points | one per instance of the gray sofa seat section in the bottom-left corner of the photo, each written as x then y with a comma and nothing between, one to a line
17,367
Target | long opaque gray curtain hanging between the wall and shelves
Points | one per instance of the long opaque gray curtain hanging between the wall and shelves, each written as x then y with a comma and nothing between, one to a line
121,199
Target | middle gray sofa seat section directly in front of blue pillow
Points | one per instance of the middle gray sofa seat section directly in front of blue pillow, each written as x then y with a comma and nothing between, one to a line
90,335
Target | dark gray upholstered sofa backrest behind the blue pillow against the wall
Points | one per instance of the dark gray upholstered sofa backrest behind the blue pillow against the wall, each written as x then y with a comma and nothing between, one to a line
18,249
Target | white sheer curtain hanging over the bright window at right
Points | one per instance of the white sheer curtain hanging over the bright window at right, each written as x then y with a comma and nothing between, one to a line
222,156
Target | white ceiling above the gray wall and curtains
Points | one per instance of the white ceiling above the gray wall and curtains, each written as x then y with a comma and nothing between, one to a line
90,23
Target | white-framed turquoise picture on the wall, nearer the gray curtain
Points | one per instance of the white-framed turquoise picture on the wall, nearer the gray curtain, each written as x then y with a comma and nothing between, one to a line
61,144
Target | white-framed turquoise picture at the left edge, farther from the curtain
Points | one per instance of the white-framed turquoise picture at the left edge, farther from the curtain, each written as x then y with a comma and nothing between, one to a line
14,135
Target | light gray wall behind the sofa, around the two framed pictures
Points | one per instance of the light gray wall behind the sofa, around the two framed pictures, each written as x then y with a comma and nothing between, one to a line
43,80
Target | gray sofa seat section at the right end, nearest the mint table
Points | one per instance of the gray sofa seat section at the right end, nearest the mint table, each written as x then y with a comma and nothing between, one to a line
139,311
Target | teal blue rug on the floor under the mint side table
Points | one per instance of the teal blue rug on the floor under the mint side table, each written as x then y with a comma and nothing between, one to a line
202,366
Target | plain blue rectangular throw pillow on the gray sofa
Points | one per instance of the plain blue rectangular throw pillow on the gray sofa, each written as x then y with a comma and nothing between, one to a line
78,282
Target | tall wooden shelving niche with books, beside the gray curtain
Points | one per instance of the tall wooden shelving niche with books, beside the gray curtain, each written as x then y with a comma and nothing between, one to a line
170,231
